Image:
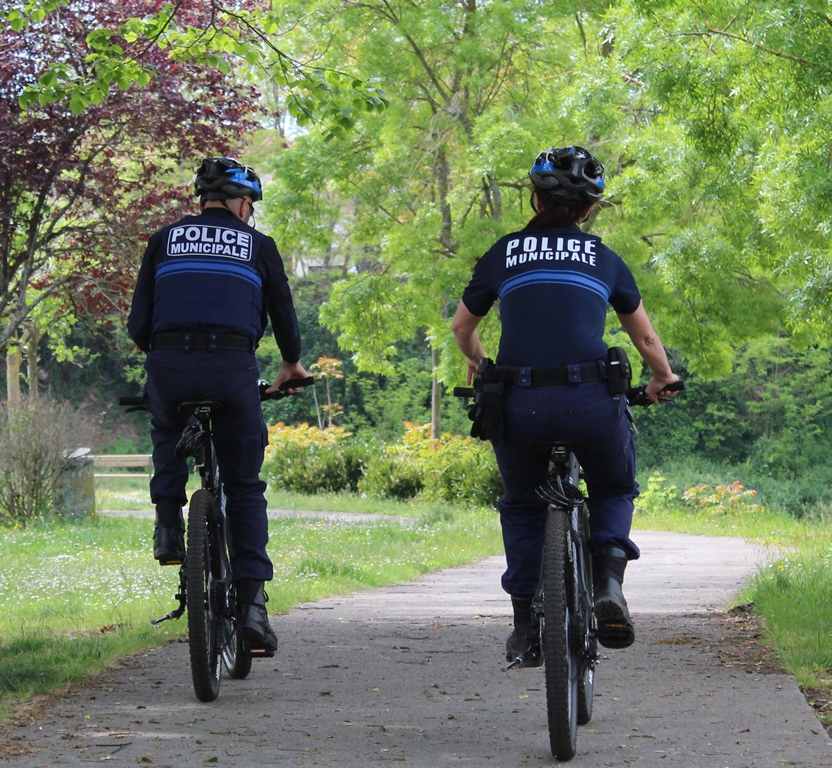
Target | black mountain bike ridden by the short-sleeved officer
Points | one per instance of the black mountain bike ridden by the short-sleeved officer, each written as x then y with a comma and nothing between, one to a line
563,605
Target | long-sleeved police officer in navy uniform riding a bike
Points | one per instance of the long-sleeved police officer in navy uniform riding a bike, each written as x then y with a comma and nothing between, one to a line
207,286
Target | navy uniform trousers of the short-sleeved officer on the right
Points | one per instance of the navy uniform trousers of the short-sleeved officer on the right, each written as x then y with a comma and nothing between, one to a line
596,425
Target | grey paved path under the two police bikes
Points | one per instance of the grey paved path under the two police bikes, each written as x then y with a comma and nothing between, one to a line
410,676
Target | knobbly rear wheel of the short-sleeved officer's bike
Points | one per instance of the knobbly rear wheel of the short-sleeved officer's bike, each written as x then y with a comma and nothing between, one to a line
559,651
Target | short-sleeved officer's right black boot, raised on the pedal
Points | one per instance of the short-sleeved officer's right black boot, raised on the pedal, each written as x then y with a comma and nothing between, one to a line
615,627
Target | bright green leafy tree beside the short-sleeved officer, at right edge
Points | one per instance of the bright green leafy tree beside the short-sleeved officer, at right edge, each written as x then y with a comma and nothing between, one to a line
716,121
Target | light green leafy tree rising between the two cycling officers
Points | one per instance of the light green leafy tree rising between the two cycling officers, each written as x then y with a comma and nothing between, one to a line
420,190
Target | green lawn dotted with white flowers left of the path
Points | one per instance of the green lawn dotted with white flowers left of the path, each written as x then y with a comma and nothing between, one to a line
77,595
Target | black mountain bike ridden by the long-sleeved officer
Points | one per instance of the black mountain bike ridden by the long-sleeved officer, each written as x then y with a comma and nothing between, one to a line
205,587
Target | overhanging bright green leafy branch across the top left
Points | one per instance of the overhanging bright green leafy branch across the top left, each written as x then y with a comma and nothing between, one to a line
123,49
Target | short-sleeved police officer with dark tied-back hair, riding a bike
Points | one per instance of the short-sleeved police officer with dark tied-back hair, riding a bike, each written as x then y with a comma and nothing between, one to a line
554,283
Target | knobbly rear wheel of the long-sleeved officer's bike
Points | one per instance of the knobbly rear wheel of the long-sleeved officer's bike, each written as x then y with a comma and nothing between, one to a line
203,611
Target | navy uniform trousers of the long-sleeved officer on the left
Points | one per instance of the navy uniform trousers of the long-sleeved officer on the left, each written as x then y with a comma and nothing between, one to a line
240,437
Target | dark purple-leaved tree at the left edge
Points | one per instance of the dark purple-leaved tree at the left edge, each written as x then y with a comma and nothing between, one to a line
80,190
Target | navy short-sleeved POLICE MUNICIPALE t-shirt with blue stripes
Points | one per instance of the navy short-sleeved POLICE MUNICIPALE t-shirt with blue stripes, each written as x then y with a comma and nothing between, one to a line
554,286
